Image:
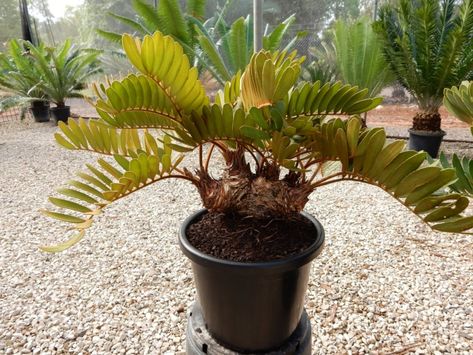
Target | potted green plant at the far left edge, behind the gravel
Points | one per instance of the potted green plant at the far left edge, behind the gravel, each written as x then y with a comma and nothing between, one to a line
20,79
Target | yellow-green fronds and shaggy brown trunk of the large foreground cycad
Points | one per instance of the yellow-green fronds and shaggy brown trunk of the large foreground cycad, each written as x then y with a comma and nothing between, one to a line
275,137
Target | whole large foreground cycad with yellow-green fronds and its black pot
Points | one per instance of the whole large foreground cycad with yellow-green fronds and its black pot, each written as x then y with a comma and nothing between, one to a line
251,246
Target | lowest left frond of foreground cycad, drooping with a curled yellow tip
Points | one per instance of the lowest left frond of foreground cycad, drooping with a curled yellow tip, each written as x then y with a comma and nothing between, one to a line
87,195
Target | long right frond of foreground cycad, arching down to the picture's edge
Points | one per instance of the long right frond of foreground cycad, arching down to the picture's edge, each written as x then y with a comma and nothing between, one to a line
405,175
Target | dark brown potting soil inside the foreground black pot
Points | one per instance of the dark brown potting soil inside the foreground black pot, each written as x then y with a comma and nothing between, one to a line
234,238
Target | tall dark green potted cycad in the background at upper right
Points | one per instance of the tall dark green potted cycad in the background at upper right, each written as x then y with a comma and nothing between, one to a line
427,44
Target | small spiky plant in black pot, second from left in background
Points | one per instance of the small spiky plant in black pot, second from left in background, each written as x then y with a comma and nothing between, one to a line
63,73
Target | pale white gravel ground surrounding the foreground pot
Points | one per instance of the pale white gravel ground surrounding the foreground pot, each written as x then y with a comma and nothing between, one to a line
385,284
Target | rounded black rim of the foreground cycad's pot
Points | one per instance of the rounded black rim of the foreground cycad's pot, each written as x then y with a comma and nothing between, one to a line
279,265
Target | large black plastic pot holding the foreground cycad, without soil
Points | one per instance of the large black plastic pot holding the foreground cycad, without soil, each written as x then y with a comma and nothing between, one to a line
251,307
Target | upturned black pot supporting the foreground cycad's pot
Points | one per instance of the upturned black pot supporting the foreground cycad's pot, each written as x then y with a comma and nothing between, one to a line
200,342
